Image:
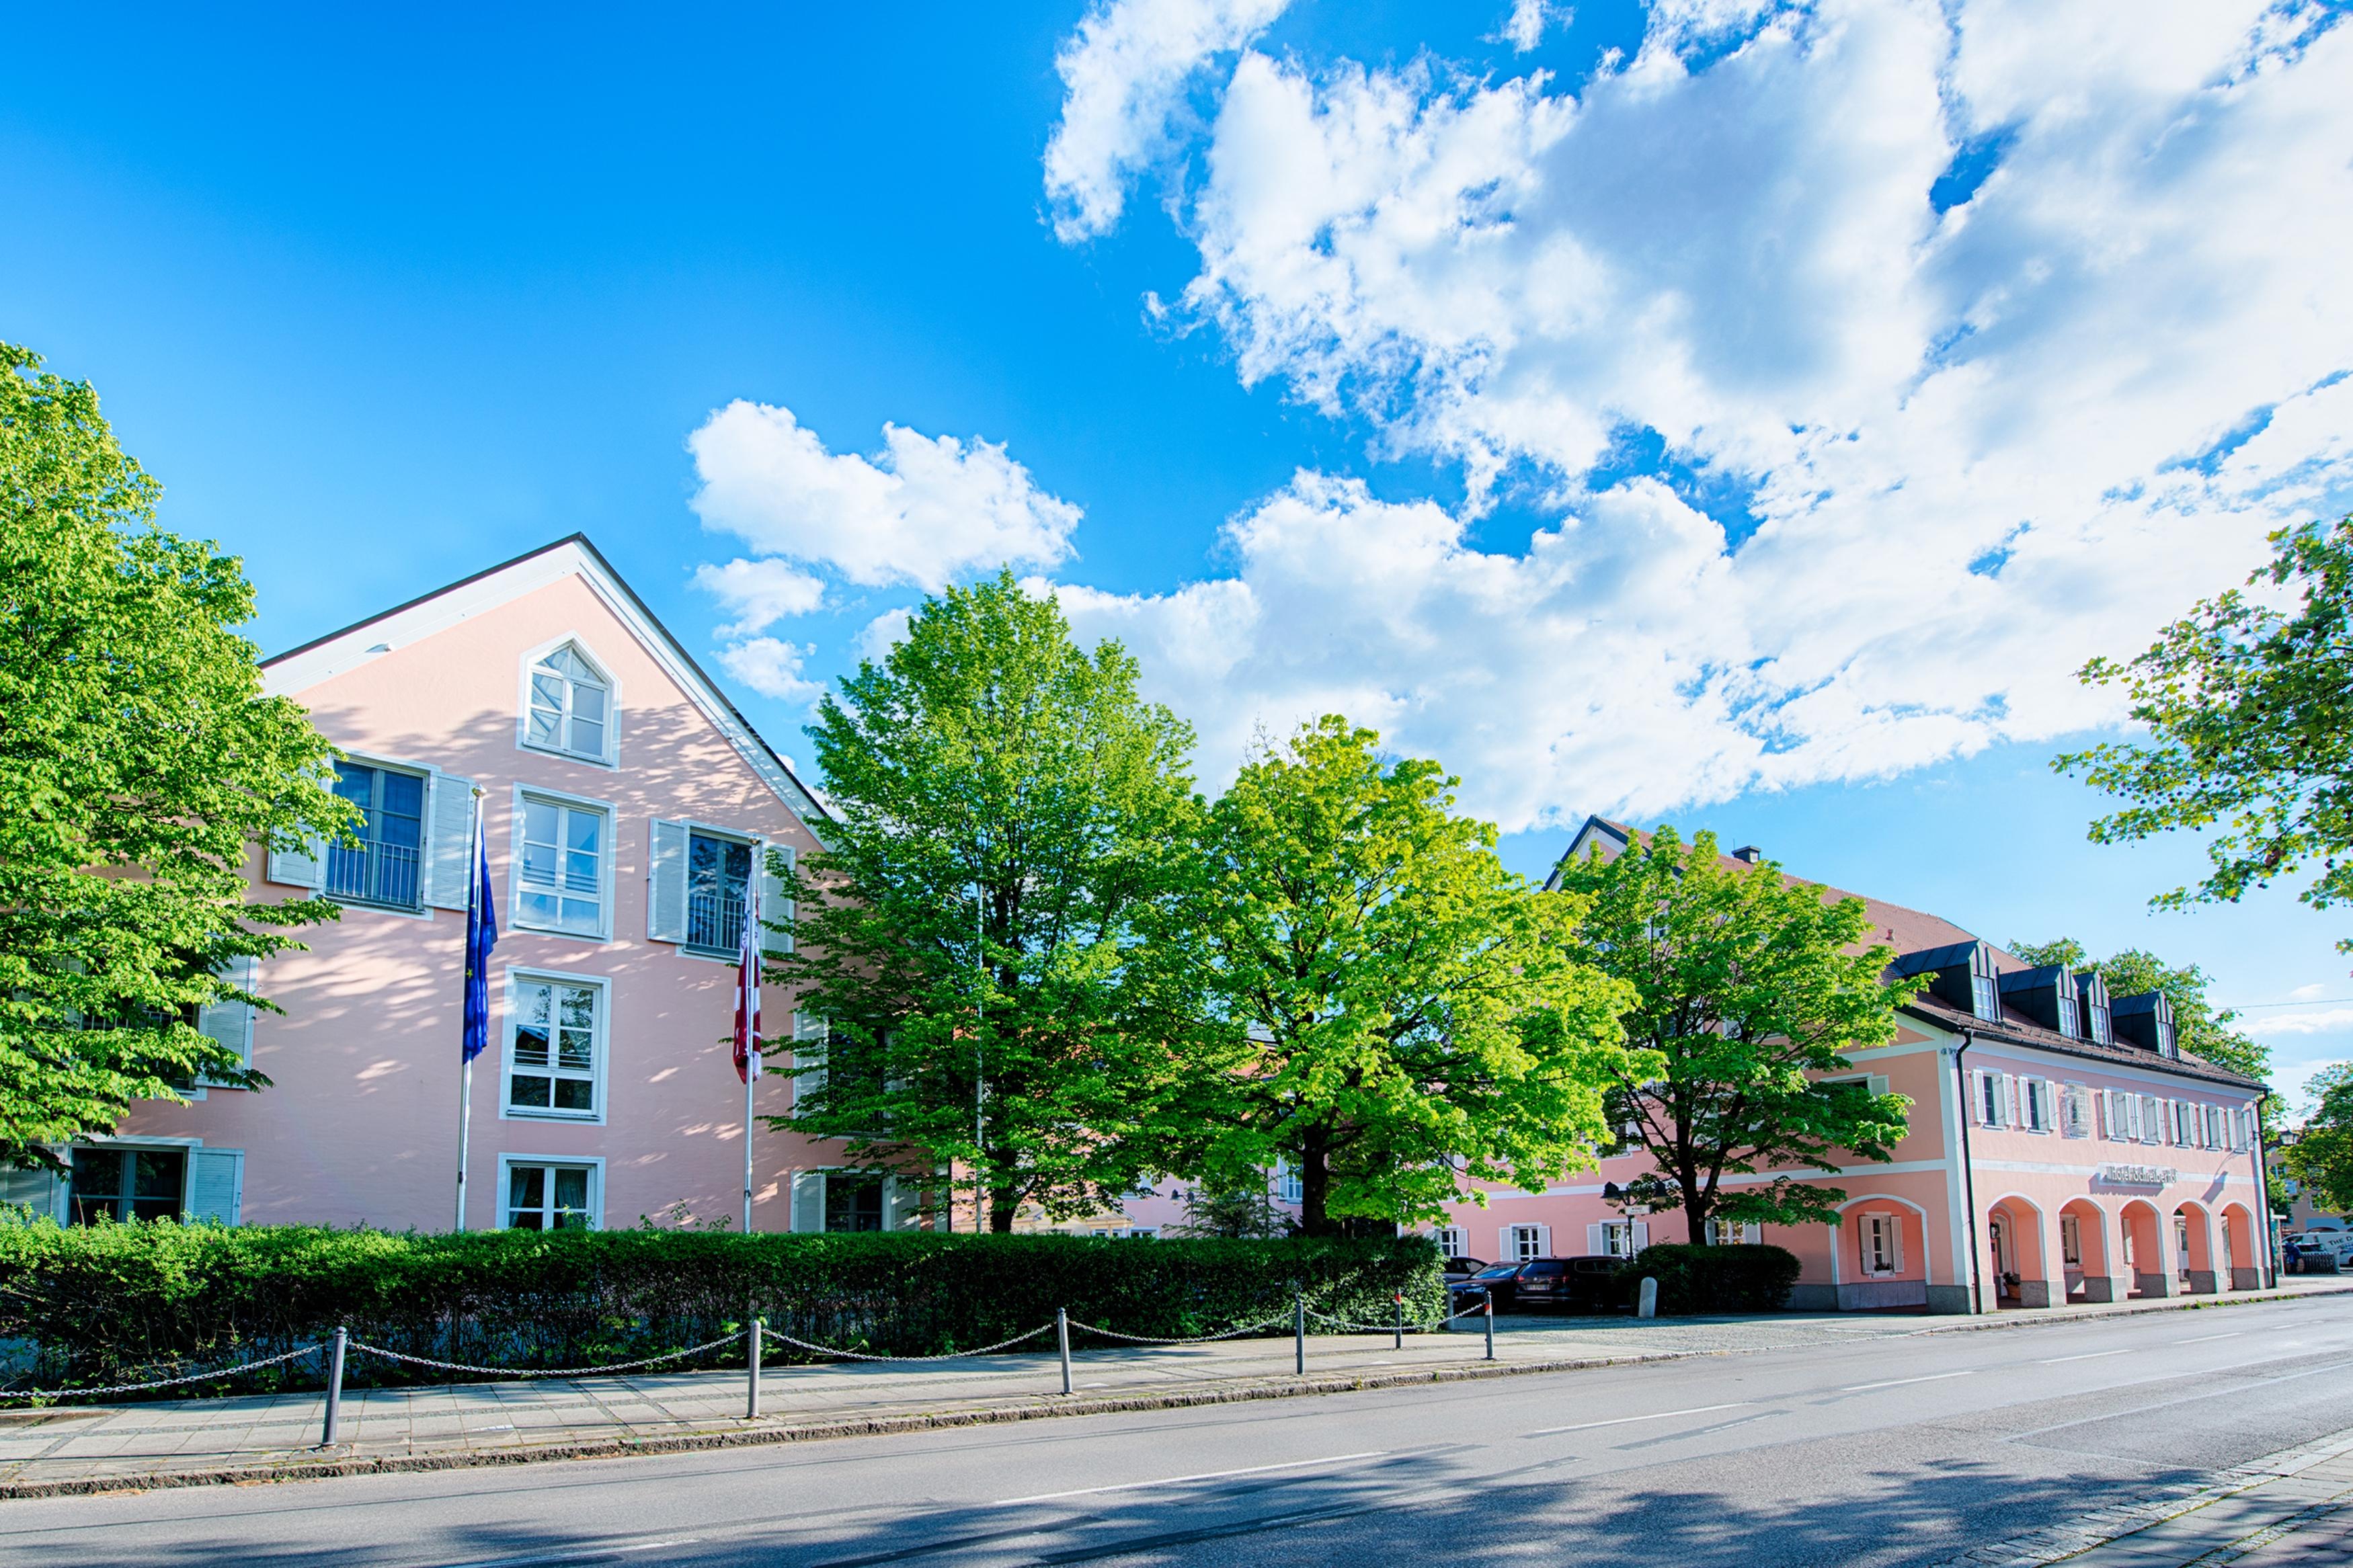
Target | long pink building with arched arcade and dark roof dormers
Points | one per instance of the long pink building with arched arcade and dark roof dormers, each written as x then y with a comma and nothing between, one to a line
2062,1148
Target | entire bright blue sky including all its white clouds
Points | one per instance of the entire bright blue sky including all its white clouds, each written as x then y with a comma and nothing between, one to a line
1712,410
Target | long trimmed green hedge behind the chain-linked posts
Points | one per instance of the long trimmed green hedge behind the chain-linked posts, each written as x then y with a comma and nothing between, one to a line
126,1304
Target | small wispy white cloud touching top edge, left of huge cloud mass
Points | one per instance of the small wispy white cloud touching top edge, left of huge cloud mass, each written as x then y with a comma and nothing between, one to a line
1124,76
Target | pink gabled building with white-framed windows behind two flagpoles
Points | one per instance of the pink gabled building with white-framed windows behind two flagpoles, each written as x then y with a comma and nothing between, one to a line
625,803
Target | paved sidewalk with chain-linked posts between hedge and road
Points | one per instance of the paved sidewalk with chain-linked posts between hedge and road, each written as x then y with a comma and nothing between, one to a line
194,1442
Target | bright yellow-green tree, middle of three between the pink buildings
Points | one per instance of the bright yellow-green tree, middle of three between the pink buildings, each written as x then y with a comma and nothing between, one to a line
1401,1014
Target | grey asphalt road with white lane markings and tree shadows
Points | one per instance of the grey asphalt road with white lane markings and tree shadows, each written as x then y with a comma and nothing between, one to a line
1891,1452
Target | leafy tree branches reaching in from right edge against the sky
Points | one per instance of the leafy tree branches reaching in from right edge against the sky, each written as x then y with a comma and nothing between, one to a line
2251,716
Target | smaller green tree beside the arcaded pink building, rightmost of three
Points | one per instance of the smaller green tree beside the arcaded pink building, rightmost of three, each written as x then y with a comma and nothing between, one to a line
1749,986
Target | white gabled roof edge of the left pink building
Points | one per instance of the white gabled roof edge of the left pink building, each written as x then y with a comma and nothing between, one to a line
394,629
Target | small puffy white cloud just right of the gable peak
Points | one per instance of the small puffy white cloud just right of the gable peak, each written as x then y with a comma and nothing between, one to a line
921,511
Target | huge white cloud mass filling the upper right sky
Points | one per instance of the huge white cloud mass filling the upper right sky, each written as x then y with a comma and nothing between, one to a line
1982,443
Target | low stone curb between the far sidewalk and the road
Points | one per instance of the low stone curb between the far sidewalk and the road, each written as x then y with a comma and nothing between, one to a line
321,1466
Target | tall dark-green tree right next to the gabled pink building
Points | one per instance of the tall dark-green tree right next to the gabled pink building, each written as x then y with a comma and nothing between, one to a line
1011,817
